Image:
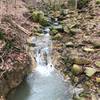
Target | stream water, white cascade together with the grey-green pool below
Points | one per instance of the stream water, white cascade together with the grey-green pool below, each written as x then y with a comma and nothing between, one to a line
45,83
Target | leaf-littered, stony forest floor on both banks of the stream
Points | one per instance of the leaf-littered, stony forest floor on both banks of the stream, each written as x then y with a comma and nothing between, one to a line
76,49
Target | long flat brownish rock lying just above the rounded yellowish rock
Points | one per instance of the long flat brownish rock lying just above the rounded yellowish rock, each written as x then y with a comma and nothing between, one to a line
81,60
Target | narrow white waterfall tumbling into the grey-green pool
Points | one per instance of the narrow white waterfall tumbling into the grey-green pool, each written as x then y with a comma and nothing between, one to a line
43,52
